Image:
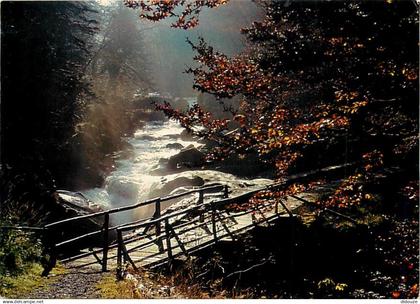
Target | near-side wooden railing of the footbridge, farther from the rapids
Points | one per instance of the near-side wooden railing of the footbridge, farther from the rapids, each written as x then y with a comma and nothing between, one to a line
208,214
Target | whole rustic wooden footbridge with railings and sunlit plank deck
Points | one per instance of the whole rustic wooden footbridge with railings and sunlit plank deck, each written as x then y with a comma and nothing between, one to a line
210,217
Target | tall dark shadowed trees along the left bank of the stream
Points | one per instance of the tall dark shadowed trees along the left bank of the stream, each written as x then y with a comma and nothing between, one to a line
44,56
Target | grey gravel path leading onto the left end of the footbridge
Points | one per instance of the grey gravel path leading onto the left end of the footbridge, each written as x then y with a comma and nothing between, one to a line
74,284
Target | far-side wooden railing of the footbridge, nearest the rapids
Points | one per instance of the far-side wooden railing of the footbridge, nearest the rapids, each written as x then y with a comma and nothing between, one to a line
156,220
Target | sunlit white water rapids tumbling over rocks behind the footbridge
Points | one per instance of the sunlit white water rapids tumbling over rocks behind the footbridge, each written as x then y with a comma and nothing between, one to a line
131,181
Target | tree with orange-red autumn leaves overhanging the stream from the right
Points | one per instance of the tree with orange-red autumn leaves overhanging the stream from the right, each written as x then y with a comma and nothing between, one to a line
324,83
